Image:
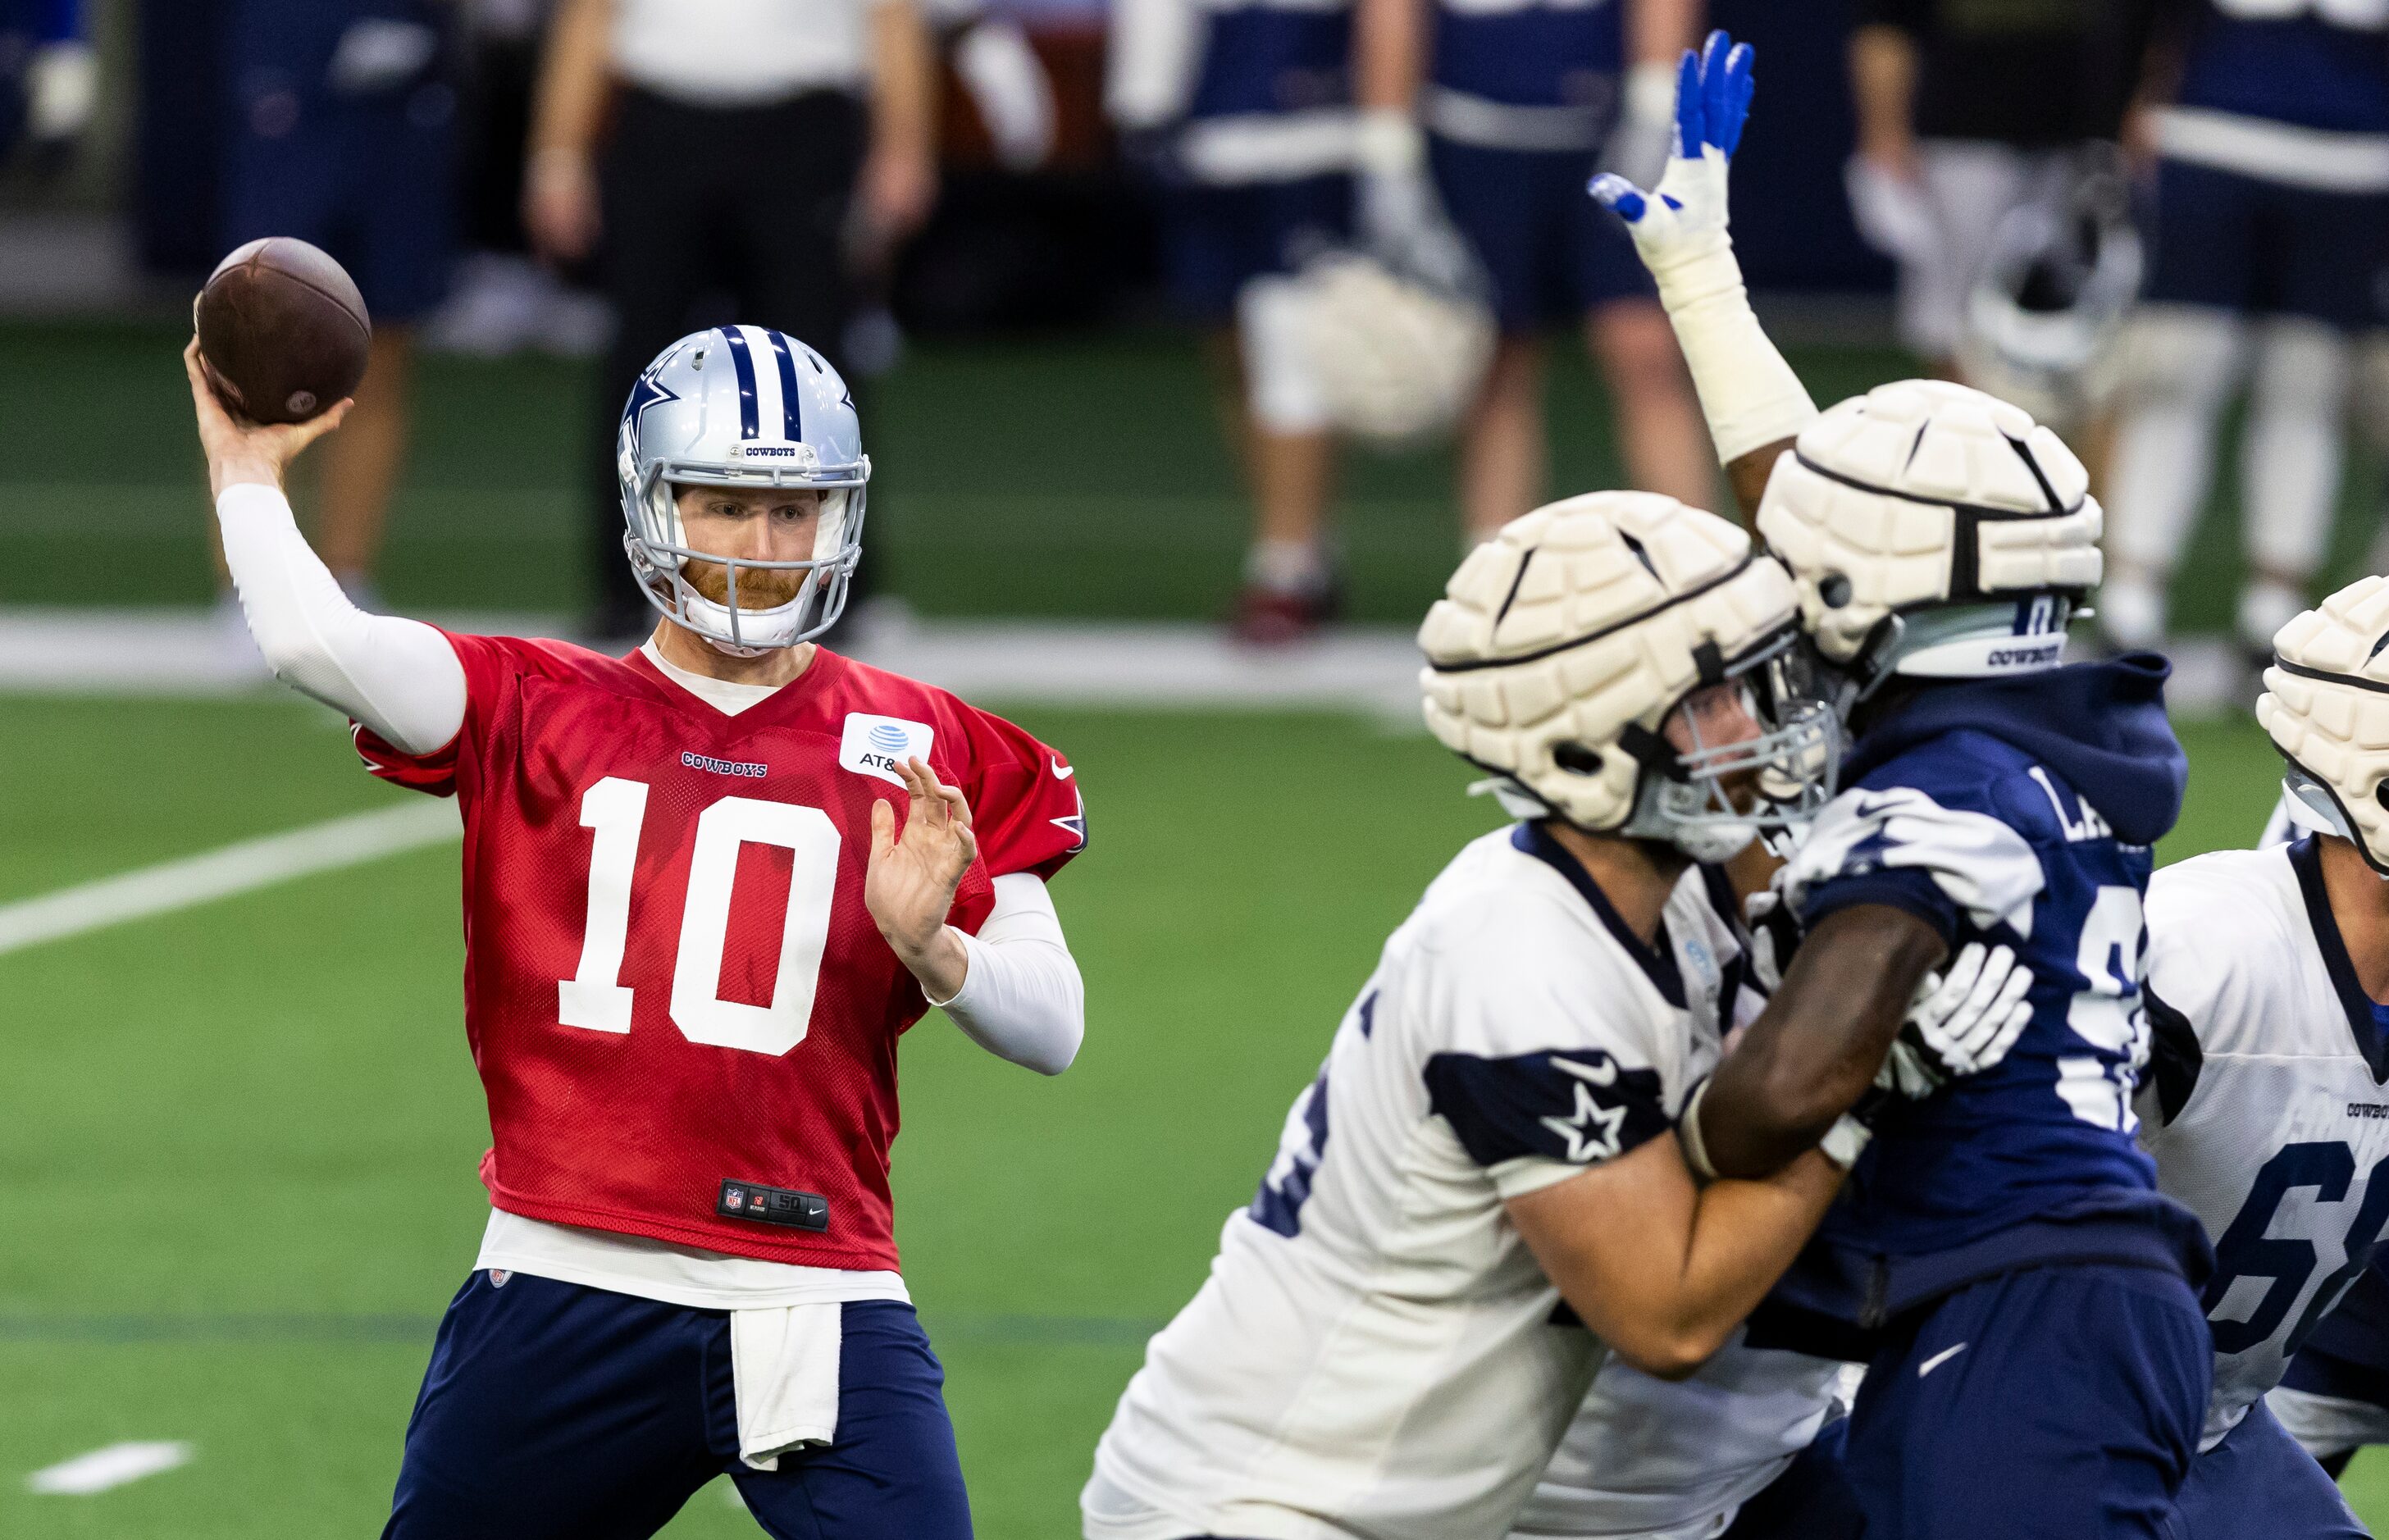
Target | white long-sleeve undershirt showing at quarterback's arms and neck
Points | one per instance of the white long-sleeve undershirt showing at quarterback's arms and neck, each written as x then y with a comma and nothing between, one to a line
1021,994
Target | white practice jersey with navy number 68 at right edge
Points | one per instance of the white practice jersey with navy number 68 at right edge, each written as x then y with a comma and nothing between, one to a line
2264,1104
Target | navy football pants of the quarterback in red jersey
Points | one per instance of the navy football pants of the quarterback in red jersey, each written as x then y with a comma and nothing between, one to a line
579,1415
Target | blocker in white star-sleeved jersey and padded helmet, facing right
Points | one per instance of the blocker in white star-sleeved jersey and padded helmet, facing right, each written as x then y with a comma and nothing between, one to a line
1482,1197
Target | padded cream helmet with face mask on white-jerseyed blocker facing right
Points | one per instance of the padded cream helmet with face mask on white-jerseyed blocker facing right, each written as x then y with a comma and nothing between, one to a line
1564,646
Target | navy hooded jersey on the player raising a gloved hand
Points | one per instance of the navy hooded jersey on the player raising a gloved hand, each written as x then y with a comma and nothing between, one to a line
2010,813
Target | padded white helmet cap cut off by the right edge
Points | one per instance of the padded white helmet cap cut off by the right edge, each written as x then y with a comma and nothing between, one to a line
2328,710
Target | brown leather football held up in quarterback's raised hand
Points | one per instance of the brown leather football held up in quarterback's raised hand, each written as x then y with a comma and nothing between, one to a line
283,331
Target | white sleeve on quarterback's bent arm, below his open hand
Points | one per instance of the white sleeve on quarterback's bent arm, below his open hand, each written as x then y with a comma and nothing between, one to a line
1021,999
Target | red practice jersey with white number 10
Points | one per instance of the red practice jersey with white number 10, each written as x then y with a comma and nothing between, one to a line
673,987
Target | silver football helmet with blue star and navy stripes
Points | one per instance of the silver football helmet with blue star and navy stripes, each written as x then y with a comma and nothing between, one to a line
742,407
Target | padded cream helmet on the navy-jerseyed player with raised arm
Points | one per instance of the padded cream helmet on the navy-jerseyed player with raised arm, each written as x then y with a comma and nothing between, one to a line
1934,531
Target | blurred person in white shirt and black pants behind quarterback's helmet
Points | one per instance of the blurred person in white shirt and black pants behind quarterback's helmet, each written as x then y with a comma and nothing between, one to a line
768,149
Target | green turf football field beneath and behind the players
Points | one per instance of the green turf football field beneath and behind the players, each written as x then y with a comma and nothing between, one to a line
238,1142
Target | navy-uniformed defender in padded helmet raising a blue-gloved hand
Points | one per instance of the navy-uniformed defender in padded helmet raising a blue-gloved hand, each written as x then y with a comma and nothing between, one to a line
2003,1243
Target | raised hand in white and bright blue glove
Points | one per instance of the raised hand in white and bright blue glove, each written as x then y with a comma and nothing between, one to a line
1685,218
